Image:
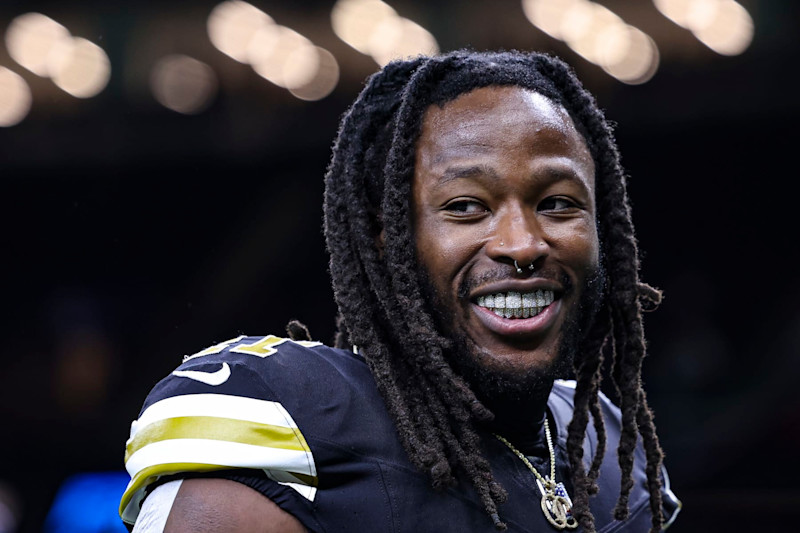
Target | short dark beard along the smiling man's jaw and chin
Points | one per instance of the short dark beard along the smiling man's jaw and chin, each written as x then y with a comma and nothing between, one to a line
501,384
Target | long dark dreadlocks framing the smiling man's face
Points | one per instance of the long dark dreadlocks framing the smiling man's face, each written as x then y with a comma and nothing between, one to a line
383,311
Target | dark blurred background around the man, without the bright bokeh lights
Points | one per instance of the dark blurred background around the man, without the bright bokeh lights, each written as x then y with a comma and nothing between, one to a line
132,235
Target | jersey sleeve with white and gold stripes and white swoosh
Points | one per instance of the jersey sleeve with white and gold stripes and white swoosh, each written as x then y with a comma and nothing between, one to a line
217,413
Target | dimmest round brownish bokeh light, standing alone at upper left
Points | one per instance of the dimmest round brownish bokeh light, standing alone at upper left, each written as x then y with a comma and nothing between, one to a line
183,84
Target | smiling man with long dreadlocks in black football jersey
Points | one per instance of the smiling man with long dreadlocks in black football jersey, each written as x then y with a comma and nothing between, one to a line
481,250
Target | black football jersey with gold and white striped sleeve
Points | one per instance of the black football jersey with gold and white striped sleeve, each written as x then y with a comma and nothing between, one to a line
305,425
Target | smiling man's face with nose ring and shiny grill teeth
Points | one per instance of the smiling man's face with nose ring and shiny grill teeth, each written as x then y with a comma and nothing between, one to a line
502,175
